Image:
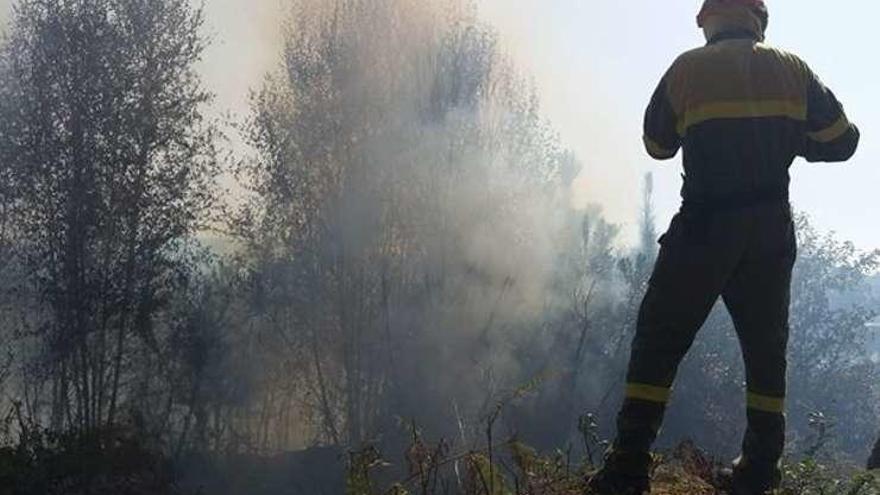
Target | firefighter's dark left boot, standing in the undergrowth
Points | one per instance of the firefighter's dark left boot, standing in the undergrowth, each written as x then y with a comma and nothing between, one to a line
622,474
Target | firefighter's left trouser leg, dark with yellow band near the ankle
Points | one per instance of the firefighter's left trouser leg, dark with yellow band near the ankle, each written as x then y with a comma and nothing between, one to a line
687,280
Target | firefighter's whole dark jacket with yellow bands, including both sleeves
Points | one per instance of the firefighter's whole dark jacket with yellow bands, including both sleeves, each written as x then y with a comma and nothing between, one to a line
742,111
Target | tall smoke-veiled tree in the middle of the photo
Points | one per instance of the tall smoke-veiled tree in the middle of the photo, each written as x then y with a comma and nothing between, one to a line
391,227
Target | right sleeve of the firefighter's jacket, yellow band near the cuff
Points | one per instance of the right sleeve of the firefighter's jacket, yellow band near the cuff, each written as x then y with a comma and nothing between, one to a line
830,135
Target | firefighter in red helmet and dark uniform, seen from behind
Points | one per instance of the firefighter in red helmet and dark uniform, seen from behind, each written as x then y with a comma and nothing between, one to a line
741,111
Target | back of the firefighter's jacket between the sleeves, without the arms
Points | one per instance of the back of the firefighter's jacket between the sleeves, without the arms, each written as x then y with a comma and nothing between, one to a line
742,116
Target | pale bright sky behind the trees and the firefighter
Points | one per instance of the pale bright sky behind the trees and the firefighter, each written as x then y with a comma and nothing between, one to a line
595,63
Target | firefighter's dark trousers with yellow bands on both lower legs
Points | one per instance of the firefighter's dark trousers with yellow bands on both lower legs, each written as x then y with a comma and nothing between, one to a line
745,257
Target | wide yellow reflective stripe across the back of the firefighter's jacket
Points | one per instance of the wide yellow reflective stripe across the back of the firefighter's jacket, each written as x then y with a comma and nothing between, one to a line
741,110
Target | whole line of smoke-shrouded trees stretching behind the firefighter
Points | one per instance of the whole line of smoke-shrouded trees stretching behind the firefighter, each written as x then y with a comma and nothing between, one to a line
398,249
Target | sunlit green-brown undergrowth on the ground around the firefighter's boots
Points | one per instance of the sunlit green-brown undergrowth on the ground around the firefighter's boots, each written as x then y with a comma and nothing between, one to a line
516,469
